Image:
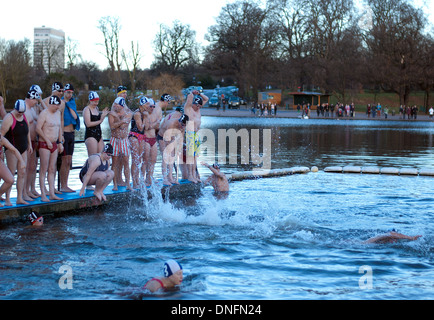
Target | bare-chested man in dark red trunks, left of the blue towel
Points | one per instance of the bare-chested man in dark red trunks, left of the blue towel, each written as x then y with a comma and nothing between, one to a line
49,129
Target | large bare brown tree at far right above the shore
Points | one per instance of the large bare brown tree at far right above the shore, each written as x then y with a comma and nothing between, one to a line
394,46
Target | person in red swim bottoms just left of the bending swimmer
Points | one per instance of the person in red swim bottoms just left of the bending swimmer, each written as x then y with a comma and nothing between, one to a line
150,150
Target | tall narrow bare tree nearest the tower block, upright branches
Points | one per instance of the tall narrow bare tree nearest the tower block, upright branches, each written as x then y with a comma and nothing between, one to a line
110,28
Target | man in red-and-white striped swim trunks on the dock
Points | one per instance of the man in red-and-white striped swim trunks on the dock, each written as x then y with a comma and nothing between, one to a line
119,121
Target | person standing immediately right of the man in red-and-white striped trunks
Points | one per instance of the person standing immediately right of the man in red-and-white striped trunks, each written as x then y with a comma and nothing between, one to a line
137,141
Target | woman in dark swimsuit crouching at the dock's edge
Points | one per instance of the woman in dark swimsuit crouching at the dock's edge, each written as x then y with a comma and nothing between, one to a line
96,171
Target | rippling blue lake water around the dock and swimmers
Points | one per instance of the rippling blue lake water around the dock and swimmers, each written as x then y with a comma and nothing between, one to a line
292,237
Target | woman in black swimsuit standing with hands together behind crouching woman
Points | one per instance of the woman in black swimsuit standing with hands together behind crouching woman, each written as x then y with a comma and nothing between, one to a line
92,120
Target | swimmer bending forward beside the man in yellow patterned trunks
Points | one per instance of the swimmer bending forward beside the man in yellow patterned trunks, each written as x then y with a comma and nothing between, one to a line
171,131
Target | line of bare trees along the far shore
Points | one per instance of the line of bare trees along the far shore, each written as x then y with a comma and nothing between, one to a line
327,45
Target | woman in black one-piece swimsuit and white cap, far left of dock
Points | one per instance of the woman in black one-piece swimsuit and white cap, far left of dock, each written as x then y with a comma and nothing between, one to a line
16,129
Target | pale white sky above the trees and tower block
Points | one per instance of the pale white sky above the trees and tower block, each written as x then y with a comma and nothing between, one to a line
139,21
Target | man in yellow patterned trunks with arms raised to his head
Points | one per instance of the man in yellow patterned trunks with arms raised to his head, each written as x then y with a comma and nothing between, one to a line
195,100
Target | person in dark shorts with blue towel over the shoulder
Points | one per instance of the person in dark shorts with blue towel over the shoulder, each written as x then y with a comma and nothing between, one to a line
71,122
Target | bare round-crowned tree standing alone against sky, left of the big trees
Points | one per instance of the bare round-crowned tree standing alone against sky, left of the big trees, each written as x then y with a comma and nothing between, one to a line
175,47
